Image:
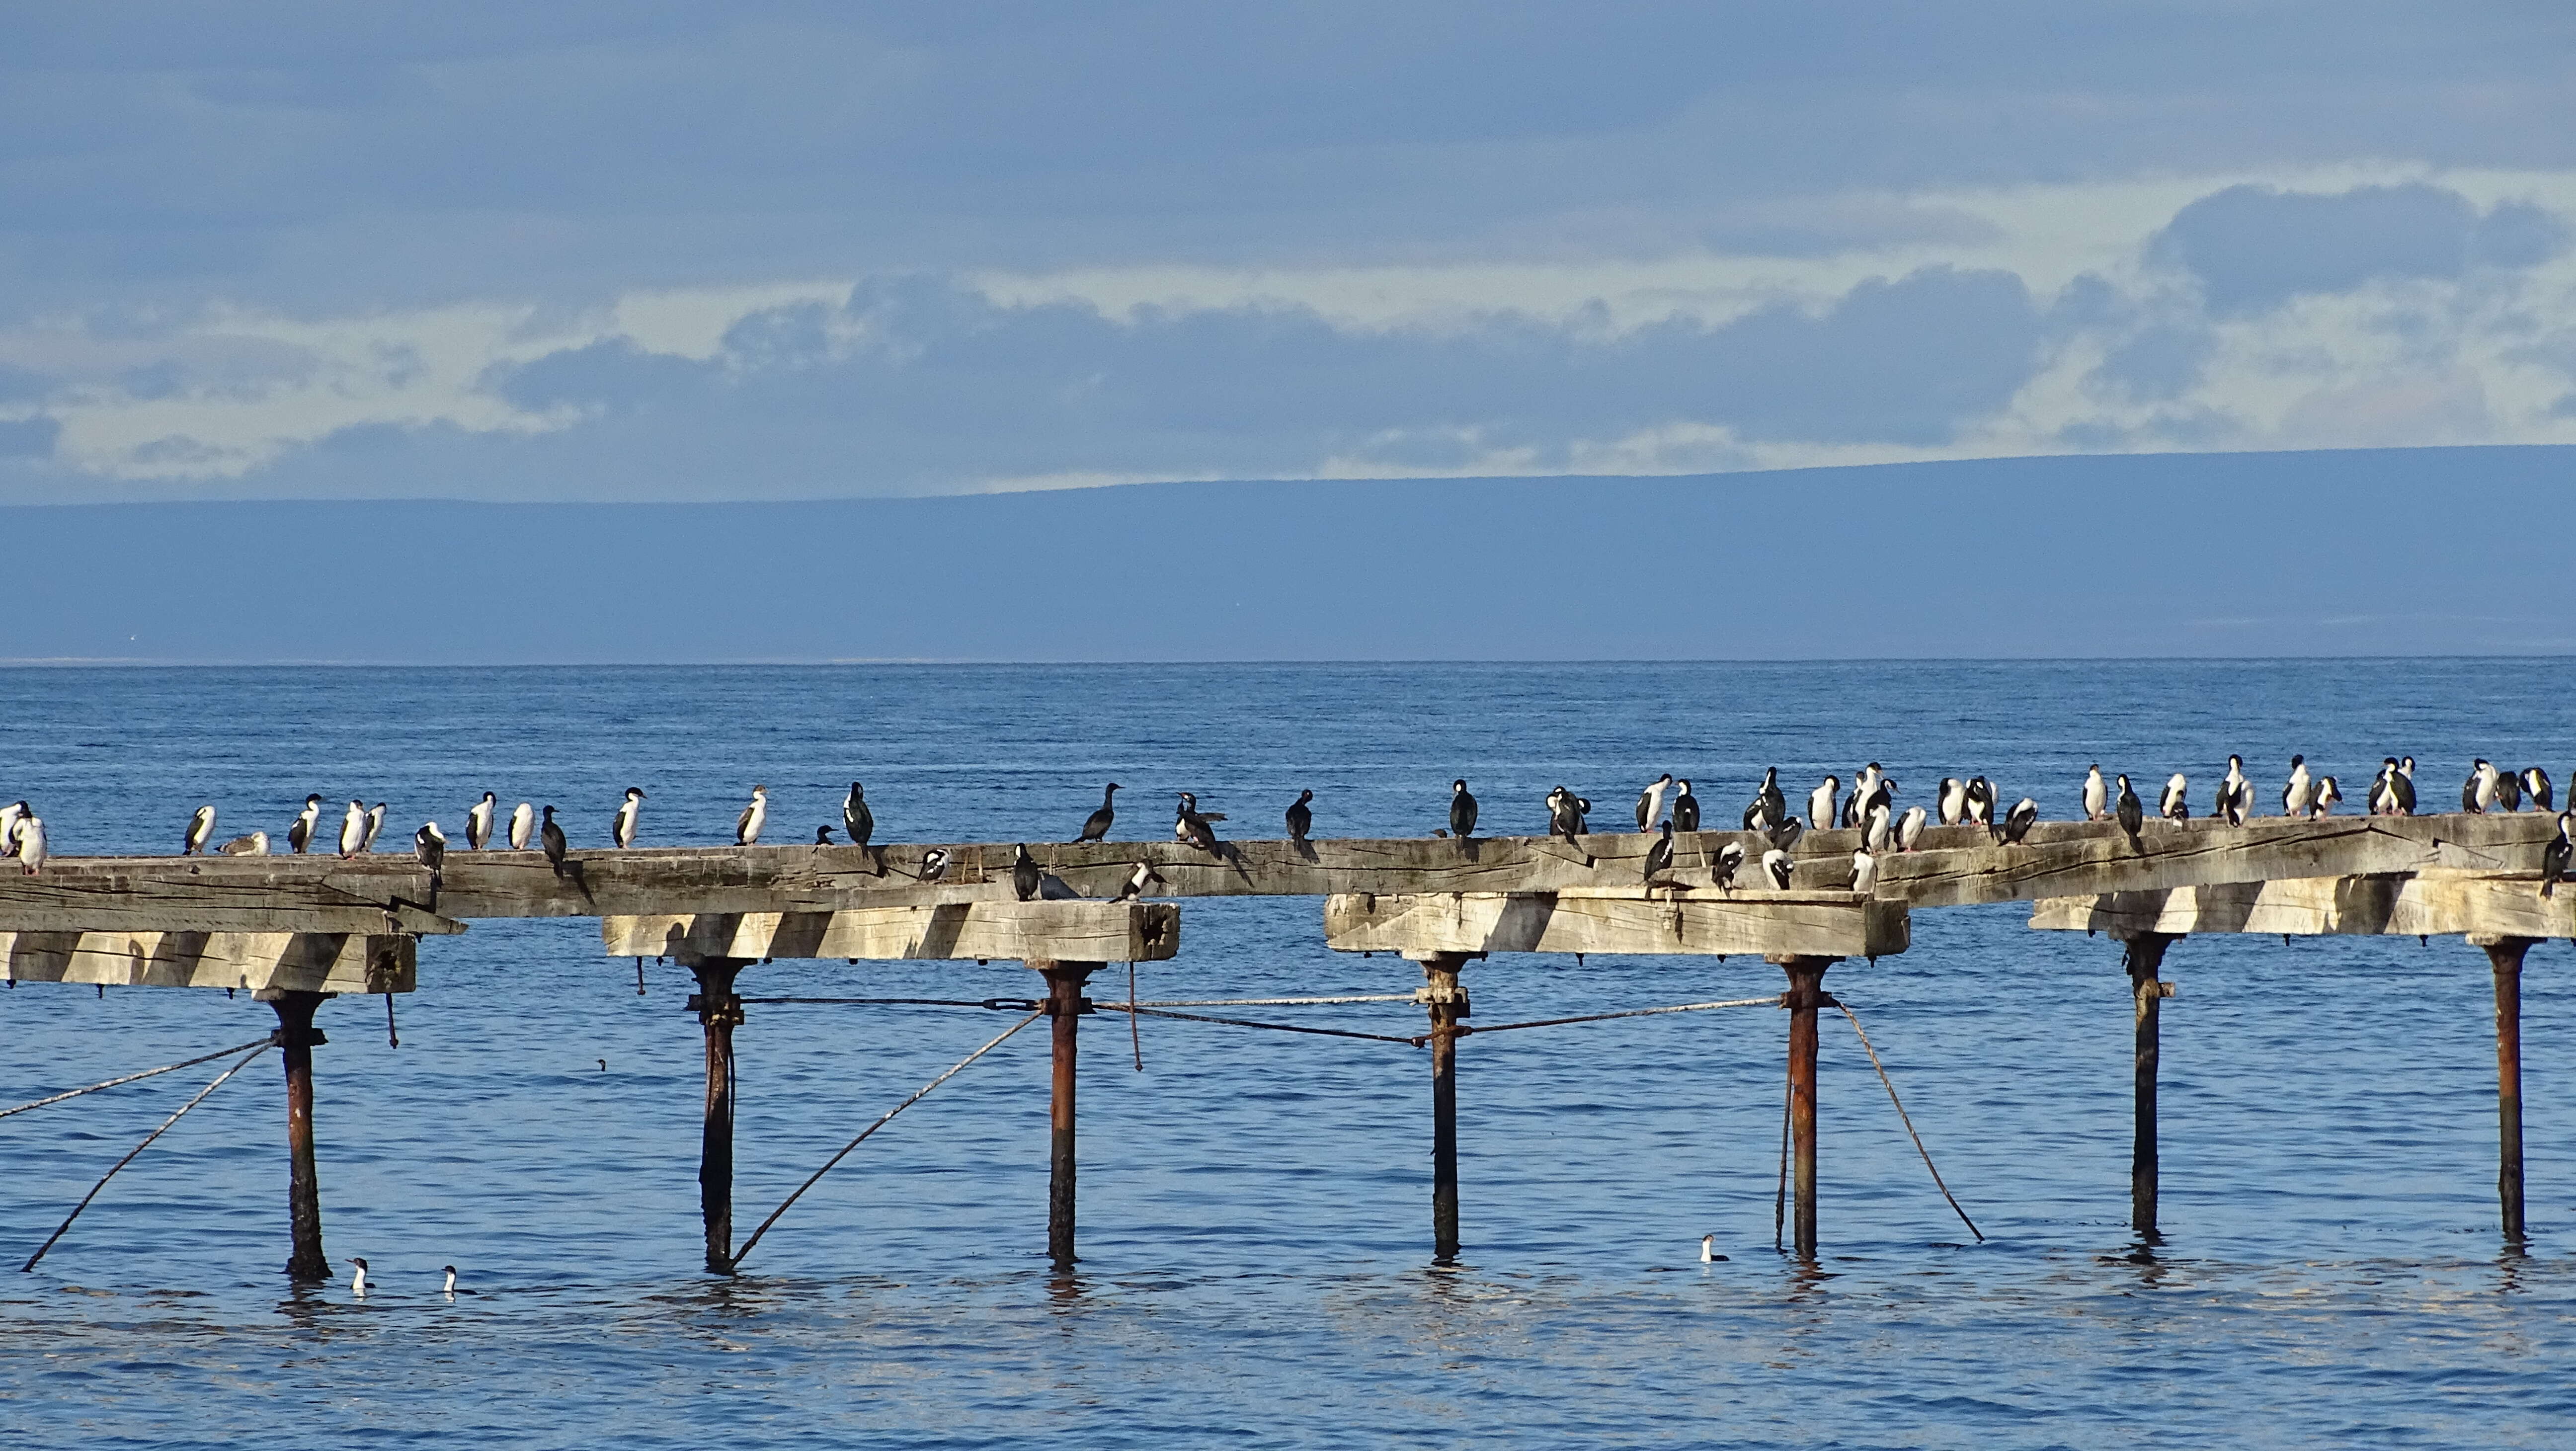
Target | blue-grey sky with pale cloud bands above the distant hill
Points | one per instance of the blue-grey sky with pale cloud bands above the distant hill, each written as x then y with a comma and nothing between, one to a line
650,251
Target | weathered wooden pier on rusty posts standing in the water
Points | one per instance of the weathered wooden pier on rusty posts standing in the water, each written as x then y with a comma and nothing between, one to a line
303,929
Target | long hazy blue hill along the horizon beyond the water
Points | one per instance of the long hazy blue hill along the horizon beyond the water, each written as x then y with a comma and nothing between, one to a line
2353,553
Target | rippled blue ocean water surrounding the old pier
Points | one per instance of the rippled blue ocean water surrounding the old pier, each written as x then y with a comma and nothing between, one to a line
1256,1223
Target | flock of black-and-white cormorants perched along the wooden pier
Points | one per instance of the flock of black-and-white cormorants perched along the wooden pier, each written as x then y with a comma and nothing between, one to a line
1866,808
